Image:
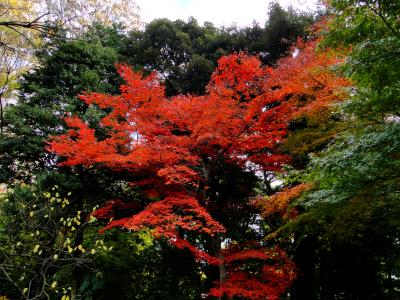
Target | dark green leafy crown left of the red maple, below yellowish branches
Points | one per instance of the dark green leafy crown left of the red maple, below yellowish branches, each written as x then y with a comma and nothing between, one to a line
66,69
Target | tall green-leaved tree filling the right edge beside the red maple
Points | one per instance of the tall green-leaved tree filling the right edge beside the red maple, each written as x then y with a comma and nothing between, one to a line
348,219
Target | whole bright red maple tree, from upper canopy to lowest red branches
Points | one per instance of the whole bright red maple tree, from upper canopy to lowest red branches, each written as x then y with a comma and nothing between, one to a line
172,146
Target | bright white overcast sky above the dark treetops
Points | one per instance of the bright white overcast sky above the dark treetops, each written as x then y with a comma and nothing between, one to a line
219,12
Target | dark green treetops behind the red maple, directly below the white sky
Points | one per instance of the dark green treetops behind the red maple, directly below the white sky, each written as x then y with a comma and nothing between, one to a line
185,53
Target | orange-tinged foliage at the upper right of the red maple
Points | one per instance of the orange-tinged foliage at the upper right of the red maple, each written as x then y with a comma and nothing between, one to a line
305,80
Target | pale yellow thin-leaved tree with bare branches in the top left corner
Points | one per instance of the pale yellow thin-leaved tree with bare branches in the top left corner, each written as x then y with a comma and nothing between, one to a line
25,23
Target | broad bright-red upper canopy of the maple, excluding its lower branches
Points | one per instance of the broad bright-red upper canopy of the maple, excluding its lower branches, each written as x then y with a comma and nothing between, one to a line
149,133
